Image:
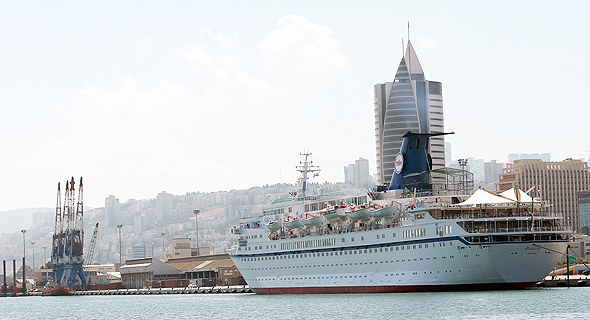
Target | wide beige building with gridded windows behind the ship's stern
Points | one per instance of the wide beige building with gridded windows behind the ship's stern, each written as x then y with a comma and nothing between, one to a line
555,182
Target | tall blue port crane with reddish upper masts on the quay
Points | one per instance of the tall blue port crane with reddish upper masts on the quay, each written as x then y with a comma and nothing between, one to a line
68,238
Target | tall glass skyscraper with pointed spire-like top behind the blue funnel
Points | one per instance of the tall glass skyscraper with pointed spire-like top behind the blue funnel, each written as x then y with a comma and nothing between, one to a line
409,103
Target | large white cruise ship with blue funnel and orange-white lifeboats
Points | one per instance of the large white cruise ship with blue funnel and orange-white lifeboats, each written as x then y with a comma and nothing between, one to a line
409,236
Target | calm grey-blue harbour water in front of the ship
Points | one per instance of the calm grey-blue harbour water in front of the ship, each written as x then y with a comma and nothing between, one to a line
557,303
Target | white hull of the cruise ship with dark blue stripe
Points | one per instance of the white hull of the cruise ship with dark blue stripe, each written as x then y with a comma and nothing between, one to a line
386,260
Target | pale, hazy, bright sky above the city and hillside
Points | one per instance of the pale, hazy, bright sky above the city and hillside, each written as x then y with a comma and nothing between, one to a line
139,97
